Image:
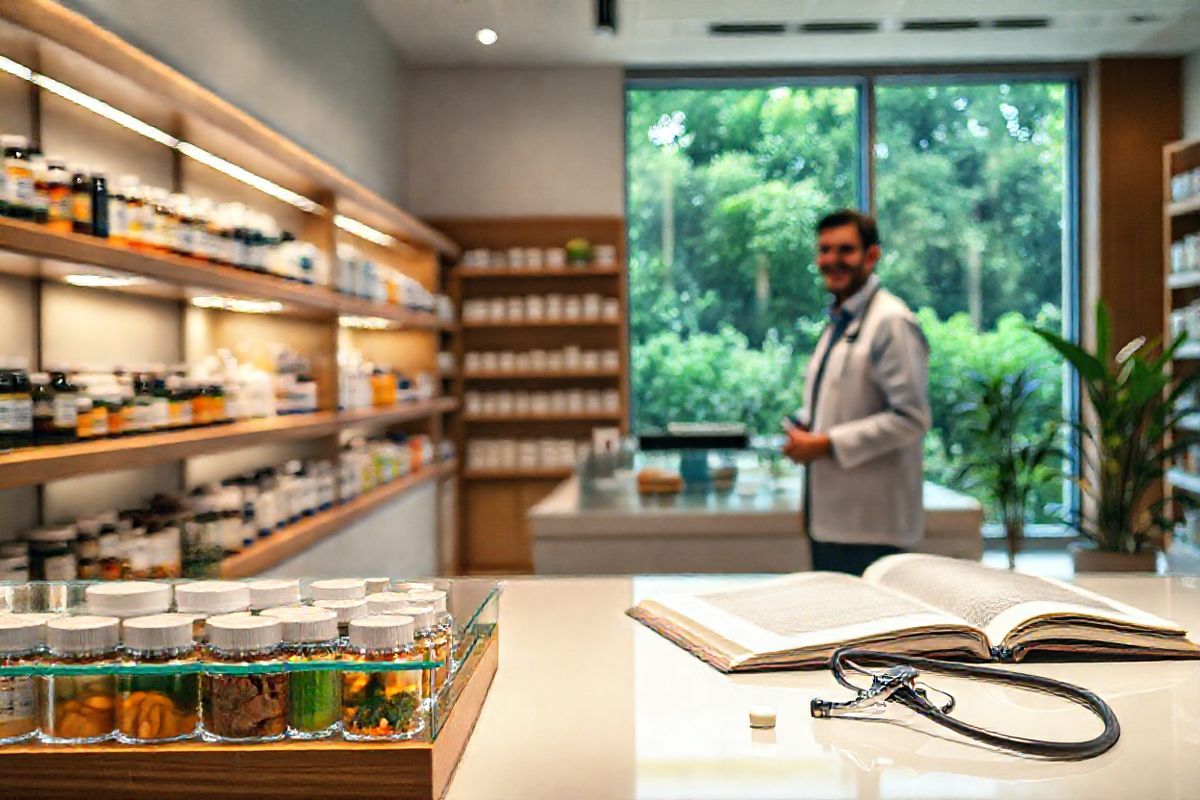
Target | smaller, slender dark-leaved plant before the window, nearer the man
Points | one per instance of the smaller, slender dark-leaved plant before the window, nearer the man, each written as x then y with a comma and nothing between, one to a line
1006,458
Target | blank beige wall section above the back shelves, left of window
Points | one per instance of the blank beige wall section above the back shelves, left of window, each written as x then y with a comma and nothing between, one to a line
508,142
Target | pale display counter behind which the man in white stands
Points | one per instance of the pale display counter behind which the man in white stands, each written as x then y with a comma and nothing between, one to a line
607,527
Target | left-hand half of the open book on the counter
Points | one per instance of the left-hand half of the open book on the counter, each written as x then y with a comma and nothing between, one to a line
801,619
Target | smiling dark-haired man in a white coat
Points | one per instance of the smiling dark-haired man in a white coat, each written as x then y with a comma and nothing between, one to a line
866,410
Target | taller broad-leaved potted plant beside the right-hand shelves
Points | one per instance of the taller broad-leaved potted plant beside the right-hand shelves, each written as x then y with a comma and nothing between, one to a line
1135,401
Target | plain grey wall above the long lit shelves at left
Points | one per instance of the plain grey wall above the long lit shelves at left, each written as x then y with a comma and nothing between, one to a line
319,71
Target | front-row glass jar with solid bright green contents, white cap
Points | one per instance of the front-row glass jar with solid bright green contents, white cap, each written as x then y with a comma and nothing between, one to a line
315,697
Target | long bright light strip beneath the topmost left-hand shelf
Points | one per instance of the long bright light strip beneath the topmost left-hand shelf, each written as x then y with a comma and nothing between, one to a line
189,149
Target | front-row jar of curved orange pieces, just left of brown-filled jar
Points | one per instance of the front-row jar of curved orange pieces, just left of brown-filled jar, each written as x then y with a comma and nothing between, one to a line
161,707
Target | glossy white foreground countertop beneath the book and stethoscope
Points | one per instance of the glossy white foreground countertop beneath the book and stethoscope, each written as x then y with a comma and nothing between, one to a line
590,705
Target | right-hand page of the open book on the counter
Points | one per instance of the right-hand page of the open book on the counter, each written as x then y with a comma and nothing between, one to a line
1001,603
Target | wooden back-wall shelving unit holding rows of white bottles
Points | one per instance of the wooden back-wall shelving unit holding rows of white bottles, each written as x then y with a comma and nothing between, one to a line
495,536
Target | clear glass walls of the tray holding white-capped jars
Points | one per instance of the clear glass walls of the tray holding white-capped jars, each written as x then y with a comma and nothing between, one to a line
473,605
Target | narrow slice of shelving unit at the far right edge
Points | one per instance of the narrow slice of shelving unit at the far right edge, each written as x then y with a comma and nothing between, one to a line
1181,220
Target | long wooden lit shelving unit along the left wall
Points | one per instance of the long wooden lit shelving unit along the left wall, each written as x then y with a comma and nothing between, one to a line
187,140
